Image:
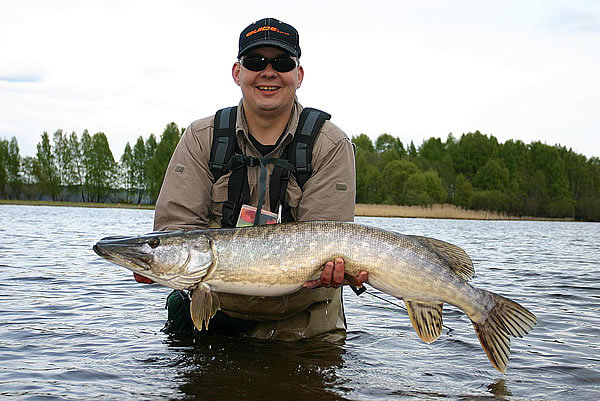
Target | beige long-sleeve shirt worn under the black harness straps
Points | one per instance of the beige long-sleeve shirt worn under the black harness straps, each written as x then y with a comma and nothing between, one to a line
189,199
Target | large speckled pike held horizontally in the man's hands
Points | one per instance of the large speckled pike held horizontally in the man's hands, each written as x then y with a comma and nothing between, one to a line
274,260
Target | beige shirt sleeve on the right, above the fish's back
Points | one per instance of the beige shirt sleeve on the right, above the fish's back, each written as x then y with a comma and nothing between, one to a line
330,192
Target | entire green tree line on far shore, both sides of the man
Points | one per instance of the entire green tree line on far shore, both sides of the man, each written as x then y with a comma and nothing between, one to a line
474,171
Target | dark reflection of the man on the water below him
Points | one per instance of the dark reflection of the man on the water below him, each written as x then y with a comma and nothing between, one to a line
217,367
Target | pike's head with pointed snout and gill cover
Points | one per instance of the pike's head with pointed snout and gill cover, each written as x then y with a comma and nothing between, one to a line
175,259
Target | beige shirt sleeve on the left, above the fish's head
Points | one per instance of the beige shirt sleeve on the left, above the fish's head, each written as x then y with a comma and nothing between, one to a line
185,197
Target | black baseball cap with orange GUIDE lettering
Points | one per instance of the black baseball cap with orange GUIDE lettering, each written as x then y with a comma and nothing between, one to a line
270,32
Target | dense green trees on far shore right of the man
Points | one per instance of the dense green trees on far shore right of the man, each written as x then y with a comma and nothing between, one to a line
477,172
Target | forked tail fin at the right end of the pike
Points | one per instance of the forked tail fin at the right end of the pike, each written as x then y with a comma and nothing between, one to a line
507,318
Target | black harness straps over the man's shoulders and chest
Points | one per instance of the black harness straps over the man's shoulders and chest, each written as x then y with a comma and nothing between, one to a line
296,160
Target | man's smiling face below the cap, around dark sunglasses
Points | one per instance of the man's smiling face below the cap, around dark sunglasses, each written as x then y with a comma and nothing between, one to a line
267,91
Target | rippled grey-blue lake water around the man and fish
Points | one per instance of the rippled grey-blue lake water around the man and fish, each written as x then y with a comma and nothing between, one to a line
73,326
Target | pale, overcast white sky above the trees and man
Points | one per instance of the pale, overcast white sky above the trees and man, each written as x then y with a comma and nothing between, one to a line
521,70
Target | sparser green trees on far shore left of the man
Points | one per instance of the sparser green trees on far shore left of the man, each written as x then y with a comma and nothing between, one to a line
71,168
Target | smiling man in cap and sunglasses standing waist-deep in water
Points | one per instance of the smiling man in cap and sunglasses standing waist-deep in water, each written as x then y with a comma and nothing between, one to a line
195,195
